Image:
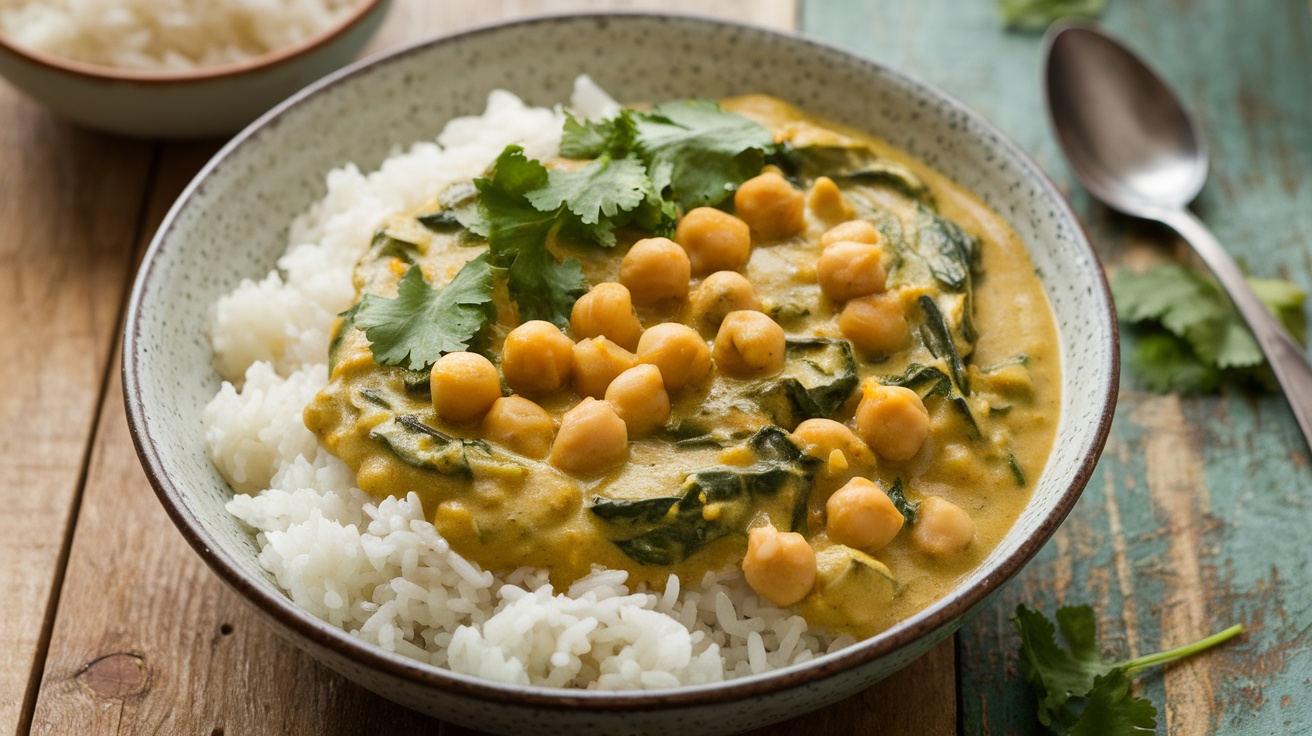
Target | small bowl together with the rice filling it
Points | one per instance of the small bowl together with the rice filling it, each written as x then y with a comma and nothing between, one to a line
182,69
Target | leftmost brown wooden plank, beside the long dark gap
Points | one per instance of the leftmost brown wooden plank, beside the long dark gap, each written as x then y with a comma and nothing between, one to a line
70,203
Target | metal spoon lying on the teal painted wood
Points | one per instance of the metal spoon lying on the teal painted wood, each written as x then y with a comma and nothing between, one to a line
1134,148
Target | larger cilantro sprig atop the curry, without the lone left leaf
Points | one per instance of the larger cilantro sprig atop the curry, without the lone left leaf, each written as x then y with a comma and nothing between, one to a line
641,169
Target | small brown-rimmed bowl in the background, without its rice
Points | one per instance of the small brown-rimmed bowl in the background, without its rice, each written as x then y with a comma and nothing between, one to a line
203,103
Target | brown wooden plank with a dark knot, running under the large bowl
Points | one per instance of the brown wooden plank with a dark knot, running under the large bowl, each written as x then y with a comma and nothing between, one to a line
148,640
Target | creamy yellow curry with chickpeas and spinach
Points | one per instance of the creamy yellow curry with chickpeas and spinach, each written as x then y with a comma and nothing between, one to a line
843,381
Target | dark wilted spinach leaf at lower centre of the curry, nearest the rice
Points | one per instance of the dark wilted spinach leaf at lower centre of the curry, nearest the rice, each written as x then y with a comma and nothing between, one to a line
670,529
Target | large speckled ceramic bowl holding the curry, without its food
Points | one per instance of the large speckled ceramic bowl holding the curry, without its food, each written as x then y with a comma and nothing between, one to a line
232,225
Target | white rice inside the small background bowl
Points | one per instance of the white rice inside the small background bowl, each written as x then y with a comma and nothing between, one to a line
167,35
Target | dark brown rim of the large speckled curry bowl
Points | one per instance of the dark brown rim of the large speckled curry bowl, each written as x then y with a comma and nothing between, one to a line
276,605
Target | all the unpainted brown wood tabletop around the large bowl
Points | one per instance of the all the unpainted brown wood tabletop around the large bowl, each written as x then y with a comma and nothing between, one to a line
142,638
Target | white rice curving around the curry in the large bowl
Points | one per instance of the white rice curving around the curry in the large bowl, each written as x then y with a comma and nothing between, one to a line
379,569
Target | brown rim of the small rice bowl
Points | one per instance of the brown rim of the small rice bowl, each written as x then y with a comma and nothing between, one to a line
100,73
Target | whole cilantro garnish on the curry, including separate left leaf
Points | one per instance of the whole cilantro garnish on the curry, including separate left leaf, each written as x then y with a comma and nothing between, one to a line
641,170
